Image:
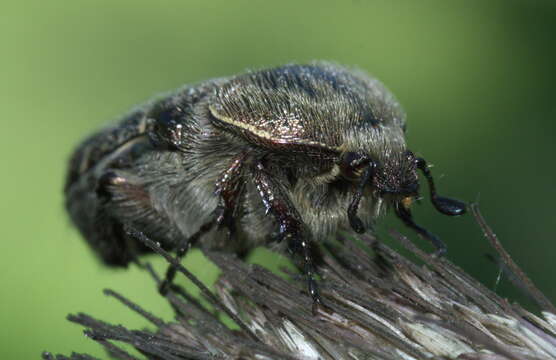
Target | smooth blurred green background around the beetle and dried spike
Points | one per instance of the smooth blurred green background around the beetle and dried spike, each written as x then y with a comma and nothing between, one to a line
476,78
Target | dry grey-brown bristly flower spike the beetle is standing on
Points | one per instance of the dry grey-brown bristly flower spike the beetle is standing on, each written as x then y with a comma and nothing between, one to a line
380,305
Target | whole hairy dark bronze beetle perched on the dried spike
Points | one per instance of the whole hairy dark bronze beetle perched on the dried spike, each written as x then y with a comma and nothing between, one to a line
298,150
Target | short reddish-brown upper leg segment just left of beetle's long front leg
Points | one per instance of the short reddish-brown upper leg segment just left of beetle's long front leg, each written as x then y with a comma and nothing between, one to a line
228,189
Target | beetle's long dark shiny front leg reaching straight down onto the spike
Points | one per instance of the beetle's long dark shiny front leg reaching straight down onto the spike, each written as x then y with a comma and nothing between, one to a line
278,204
